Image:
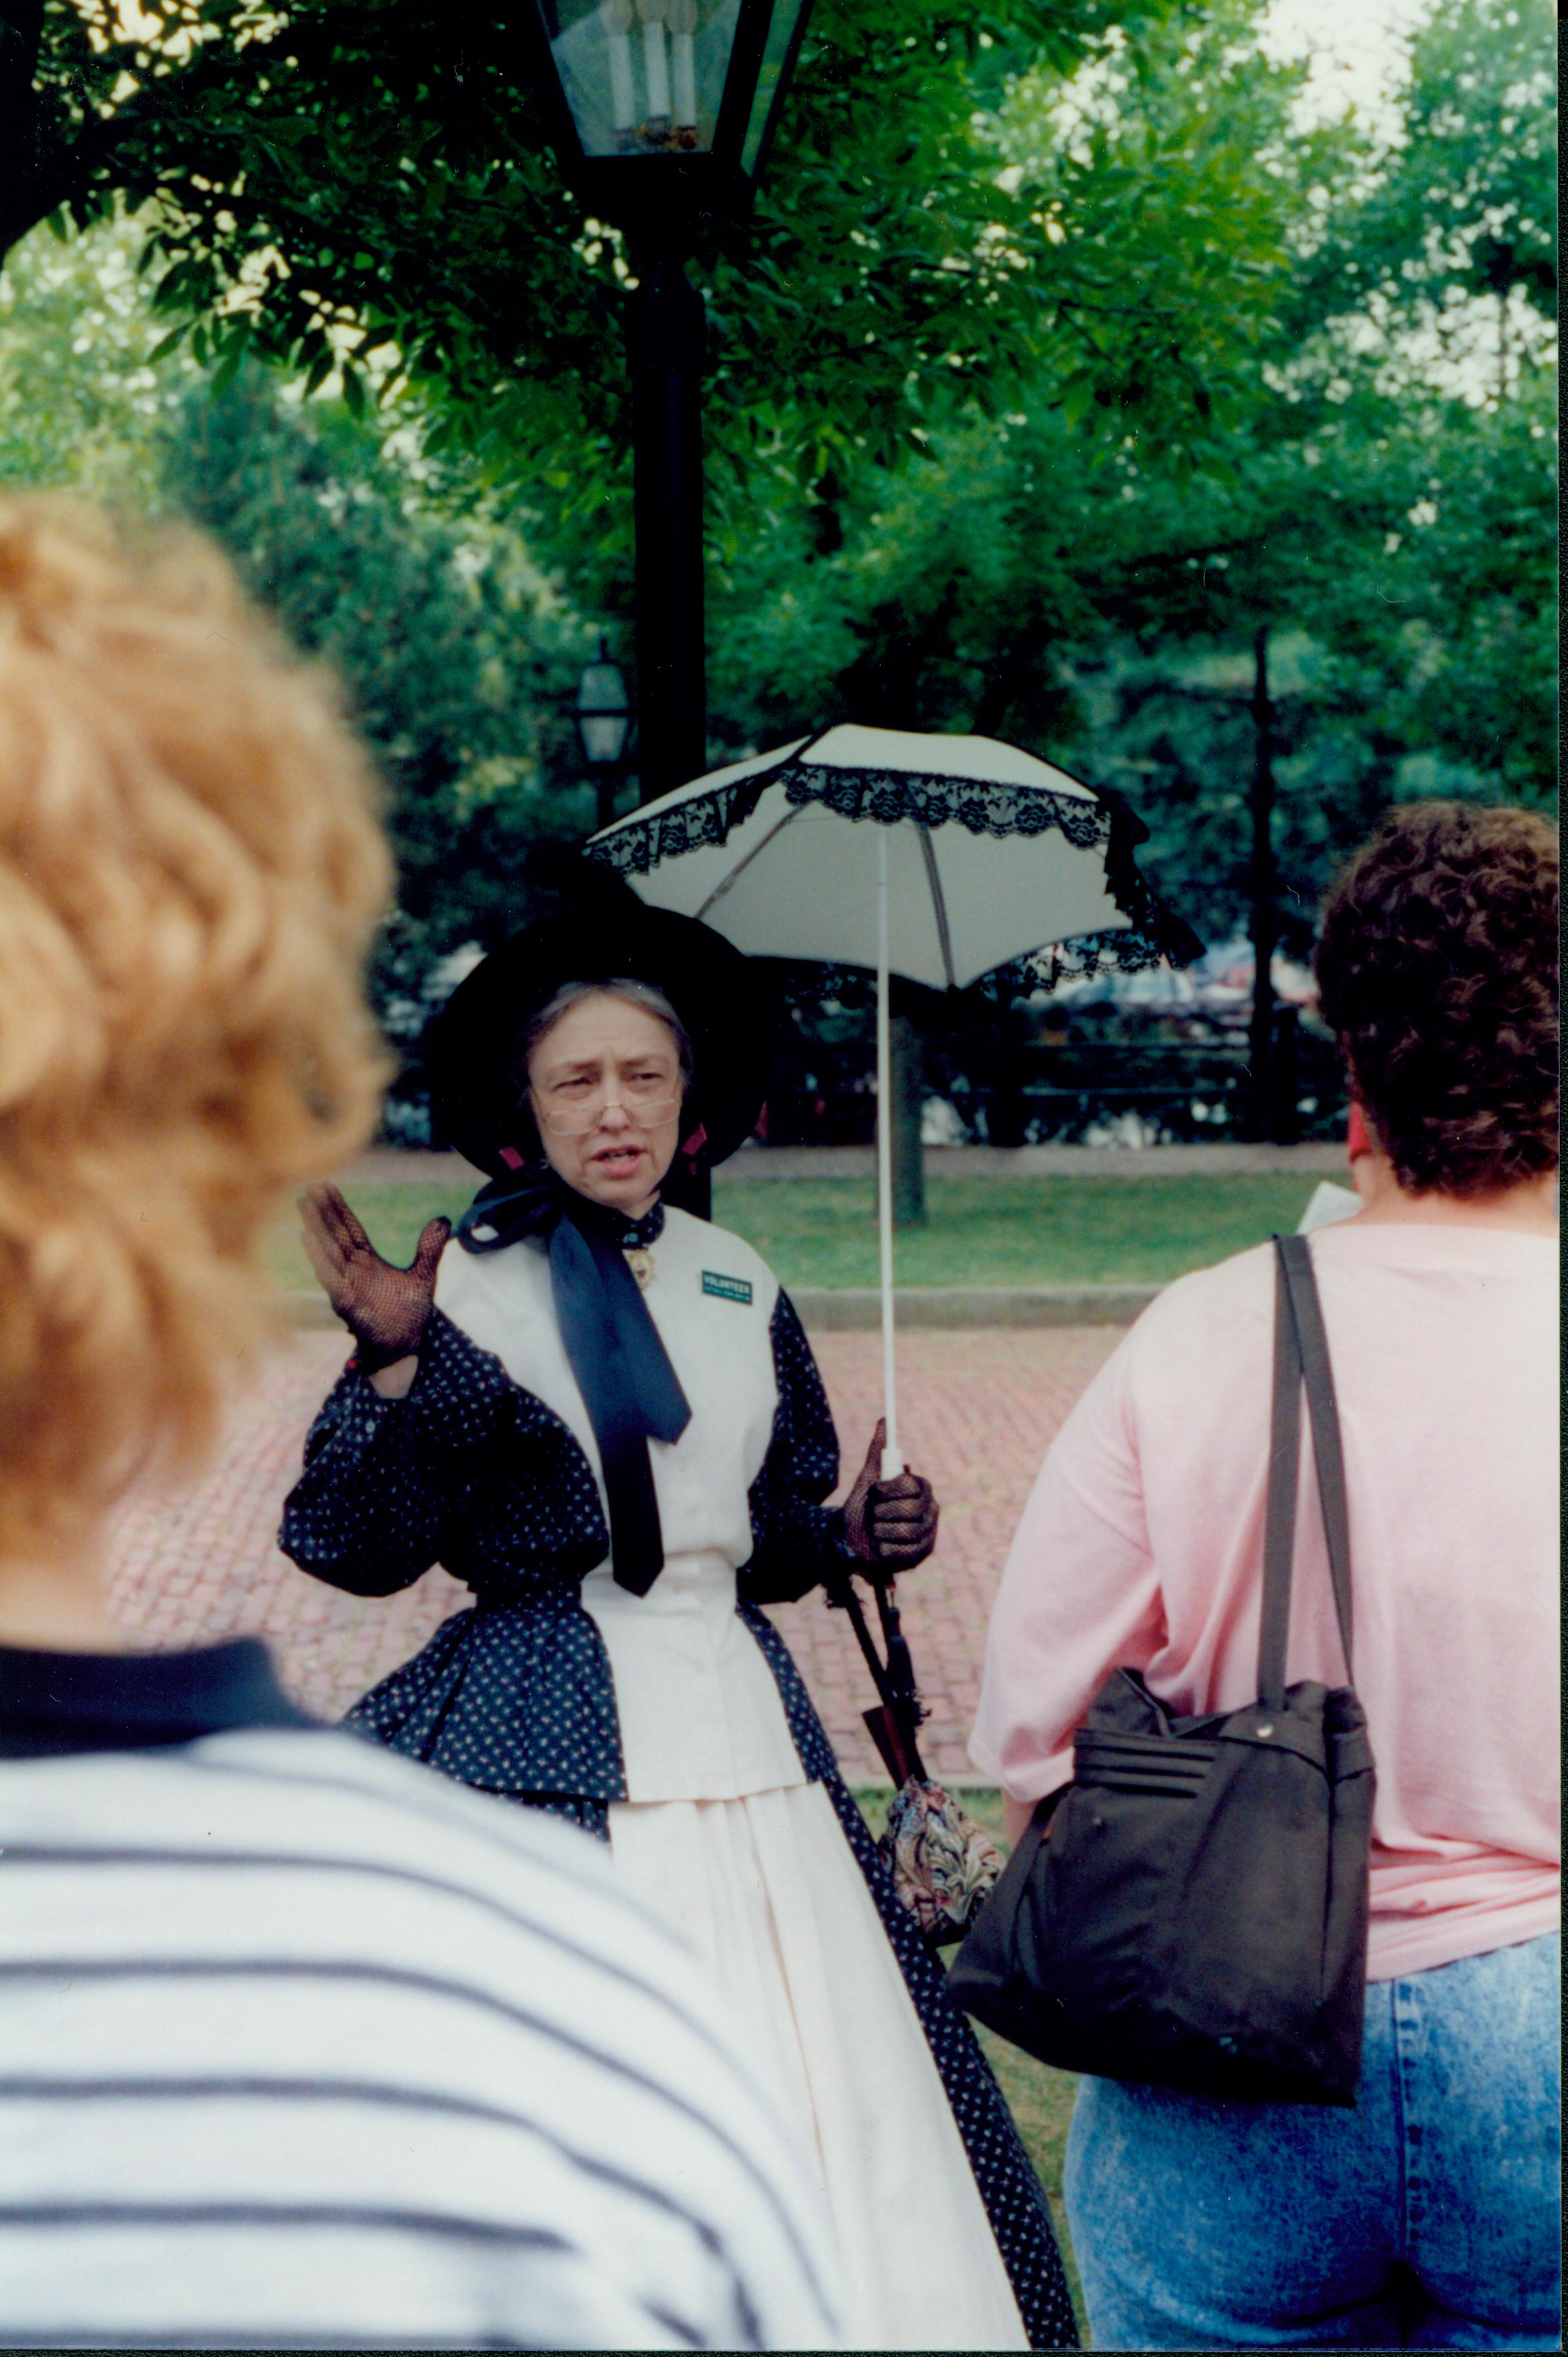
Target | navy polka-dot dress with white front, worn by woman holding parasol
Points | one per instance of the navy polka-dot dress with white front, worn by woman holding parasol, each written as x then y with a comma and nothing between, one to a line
567,1694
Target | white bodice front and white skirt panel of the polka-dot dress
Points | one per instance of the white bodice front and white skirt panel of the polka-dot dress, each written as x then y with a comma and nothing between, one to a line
720,1830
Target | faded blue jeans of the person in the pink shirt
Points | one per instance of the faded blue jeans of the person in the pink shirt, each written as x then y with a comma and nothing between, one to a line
1423,2219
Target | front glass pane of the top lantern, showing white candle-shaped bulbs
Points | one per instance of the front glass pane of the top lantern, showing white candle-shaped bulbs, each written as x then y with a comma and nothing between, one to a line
643,77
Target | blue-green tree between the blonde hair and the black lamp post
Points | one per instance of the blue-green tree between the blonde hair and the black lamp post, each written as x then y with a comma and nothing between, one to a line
454,652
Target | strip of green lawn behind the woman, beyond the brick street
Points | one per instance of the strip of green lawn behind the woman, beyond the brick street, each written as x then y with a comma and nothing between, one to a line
980,1232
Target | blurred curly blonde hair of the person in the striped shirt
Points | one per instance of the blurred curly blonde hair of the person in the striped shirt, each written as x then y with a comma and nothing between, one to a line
190,878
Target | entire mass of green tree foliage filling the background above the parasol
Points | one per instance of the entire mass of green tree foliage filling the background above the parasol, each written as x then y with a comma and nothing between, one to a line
1055,367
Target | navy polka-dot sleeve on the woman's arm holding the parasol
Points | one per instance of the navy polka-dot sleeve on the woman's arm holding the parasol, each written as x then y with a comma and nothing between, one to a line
796,1540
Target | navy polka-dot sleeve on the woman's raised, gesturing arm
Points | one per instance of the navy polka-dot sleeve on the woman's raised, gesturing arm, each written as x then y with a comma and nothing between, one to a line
468,1470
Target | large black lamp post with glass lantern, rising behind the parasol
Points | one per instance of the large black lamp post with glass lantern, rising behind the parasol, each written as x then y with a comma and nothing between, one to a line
661,117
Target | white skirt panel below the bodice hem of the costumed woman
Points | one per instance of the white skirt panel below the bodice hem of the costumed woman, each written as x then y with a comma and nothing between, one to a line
770,1894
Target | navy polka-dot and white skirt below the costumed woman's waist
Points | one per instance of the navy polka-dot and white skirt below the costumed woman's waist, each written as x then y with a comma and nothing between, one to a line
777,1882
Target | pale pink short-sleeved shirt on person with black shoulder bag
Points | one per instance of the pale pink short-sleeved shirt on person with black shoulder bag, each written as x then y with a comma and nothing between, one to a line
1142,1547
